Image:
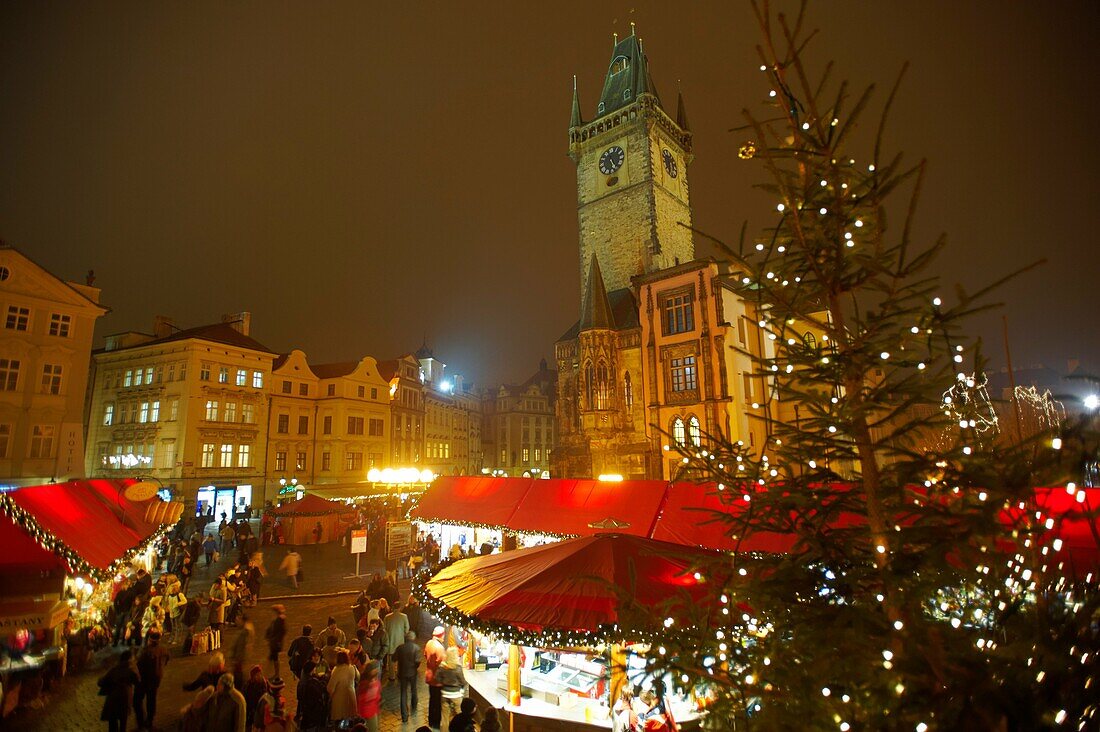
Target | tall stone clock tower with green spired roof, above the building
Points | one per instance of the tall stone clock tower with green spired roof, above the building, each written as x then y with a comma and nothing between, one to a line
632,174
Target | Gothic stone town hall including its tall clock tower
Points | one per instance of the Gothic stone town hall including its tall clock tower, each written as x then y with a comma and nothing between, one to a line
663,354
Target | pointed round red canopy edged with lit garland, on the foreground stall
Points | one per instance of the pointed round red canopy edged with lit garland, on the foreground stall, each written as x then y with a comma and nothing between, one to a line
569,585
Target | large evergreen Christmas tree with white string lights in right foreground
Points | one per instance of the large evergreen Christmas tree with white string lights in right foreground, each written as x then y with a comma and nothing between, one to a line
925,584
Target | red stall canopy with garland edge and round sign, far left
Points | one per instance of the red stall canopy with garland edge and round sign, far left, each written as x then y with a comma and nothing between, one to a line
94,527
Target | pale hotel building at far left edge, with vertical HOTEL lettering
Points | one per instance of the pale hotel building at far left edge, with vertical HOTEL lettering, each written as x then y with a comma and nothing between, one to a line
46,349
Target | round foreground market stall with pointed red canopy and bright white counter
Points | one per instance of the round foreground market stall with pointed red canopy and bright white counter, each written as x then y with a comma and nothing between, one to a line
551,639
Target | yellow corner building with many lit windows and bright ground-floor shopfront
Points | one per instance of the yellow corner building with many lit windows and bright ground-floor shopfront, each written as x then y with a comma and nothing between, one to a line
186,407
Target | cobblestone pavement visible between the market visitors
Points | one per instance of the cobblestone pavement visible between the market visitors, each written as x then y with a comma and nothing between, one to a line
74,703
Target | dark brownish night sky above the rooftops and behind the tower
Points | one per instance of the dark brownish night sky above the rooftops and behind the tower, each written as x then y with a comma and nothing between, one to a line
366,176
